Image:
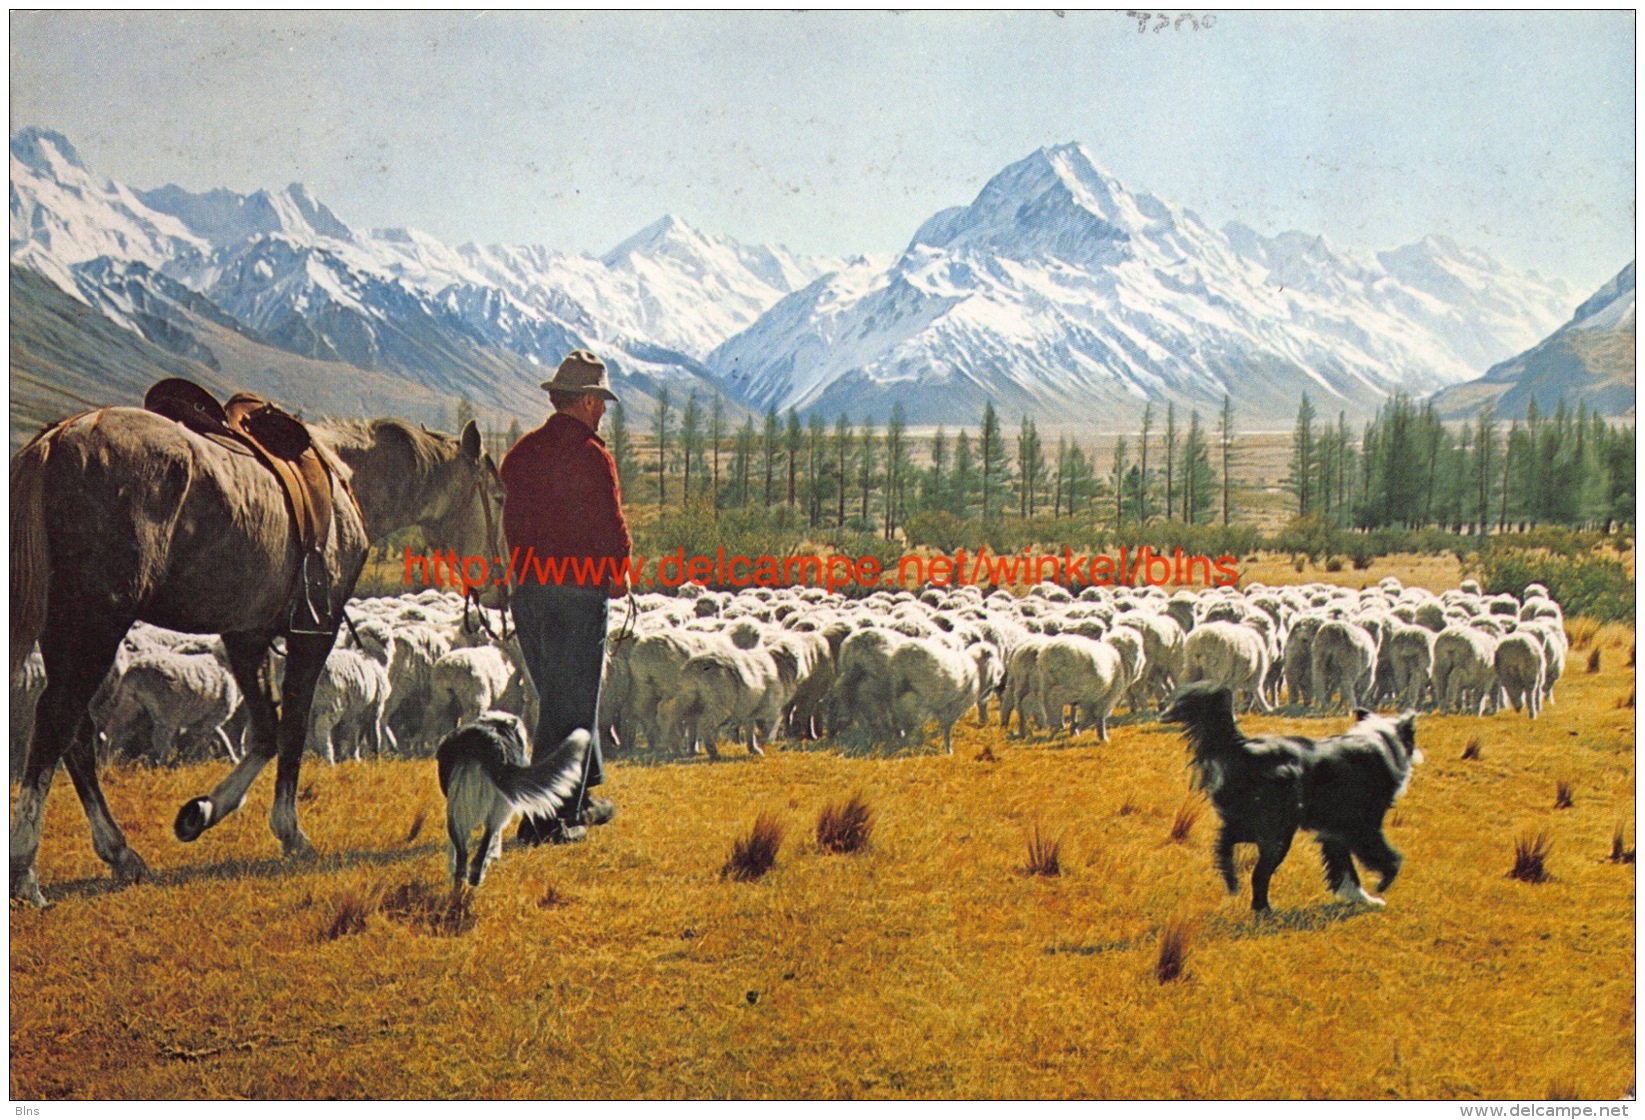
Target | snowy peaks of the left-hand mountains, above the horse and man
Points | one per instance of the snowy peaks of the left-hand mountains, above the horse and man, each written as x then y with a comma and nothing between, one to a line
287,271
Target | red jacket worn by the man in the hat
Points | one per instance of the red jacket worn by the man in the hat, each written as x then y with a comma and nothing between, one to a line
563,494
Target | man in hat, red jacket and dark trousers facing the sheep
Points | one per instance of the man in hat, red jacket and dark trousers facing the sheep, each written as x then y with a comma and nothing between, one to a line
565,504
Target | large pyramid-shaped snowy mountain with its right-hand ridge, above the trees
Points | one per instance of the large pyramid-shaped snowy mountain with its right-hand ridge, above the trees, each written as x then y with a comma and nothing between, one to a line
1062,294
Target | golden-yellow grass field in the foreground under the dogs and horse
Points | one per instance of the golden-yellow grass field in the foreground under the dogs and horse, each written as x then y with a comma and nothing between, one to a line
925,966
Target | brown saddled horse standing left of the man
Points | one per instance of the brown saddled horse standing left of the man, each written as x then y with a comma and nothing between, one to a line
123,516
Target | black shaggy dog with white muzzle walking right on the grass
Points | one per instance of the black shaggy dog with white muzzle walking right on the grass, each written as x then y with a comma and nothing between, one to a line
1269,787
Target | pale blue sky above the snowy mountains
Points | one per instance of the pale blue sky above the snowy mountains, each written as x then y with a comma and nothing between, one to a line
841,132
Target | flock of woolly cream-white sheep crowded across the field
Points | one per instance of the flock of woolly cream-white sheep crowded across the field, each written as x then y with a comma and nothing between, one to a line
692,670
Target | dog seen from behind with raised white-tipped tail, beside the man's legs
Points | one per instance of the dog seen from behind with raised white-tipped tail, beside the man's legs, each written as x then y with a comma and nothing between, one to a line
488,777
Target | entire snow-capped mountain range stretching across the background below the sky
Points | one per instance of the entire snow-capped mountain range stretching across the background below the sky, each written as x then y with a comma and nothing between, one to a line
1057,292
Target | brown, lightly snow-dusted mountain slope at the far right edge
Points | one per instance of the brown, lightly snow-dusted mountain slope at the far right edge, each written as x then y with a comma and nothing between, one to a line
1592,359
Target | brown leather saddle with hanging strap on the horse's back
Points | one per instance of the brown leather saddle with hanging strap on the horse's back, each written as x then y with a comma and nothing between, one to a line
282,443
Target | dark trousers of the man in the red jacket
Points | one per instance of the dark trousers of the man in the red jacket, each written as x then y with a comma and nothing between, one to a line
563,639
